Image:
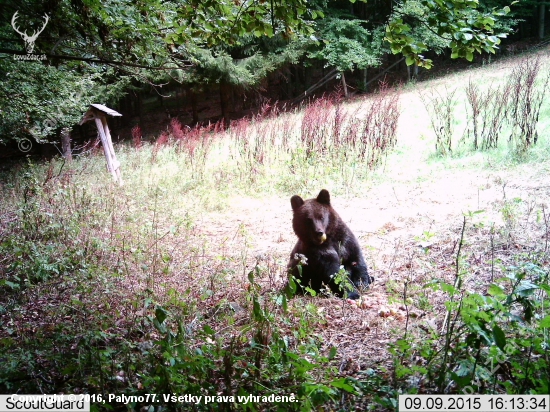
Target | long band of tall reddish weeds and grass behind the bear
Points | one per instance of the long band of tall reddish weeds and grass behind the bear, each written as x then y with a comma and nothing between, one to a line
326,142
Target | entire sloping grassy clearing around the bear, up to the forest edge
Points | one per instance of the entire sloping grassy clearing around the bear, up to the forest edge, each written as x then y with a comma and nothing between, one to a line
174,283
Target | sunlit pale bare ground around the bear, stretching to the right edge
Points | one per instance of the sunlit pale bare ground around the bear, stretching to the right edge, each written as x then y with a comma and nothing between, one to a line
390,222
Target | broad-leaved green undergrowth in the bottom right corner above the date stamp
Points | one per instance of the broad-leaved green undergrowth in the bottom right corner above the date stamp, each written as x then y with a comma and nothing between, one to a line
494,337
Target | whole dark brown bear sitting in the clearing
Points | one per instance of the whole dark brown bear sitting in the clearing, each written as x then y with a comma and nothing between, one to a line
327,244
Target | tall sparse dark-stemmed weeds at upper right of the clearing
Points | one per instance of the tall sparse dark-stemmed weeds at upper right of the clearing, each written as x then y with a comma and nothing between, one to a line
504,111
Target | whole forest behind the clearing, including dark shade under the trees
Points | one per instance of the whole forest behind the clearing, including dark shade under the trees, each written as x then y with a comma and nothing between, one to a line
211,61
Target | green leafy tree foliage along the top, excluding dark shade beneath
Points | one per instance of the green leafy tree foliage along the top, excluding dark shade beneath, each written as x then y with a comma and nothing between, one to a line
113,45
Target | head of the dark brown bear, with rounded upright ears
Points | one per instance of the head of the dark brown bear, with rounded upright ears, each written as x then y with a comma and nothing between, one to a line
312,218
